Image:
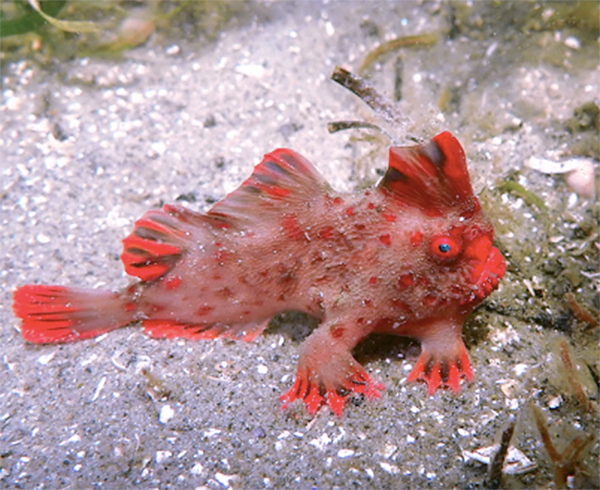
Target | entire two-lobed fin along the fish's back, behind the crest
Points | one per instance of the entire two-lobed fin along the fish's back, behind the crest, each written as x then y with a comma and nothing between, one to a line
162,236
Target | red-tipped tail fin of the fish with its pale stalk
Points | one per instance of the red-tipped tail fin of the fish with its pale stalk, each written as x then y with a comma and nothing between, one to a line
57,314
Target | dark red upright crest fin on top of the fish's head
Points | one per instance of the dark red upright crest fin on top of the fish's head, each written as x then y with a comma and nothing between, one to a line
432,176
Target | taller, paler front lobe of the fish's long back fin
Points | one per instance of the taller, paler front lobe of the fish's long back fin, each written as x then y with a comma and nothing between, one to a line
282,179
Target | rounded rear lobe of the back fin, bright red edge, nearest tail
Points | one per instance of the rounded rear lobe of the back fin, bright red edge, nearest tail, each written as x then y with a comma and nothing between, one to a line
158,239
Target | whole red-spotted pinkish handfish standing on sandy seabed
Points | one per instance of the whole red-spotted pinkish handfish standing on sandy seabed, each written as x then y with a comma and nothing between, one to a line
412,256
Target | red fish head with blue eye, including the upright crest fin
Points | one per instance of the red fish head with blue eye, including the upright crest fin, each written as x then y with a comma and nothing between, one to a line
452,239
